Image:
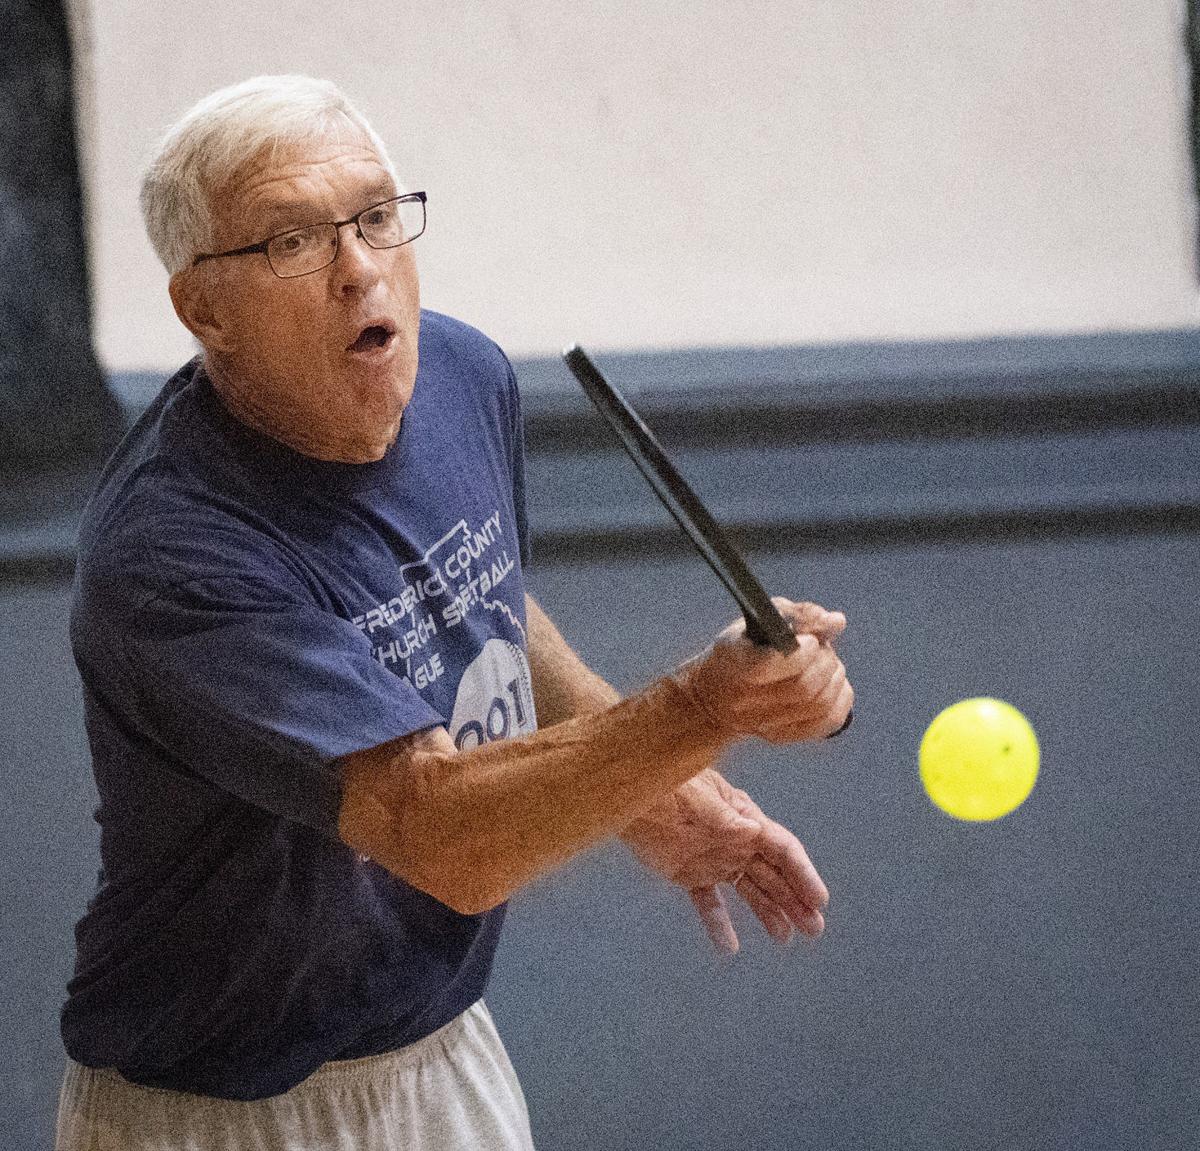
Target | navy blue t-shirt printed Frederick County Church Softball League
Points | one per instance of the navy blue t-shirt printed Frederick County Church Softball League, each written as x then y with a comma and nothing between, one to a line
245,616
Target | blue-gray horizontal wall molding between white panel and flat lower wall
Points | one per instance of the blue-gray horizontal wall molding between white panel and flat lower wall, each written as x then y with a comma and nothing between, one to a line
832,447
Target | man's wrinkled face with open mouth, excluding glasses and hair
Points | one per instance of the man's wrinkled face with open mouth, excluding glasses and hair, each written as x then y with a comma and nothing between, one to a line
325,362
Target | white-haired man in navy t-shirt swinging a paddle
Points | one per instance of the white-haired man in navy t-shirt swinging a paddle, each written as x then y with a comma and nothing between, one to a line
308,655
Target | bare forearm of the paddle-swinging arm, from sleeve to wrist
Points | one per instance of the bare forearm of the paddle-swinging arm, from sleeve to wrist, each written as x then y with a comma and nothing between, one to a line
472,829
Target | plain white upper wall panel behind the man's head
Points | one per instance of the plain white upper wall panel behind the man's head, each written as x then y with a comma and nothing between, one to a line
668,175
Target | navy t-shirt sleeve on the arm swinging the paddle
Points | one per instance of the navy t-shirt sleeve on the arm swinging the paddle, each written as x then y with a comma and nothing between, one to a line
238,675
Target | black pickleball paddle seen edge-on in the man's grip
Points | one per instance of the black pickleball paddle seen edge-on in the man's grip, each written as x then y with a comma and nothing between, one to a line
765,625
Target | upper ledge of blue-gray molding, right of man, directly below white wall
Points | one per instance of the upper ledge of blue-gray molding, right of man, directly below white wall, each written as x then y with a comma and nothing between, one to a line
868,391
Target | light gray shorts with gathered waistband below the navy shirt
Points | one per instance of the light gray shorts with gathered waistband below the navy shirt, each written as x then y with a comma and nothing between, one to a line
452,1090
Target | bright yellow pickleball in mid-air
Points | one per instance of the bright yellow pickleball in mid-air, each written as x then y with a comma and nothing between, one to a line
980,759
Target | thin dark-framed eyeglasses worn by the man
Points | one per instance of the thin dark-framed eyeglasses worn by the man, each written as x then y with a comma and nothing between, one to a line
301,251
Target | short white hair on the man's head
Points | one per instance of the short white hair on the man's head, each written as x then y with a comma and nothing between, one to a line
220,135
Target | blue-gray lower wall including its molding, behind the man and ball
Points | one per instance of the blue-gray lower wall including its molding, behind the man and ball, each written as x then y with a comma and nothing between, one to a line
1009,518
